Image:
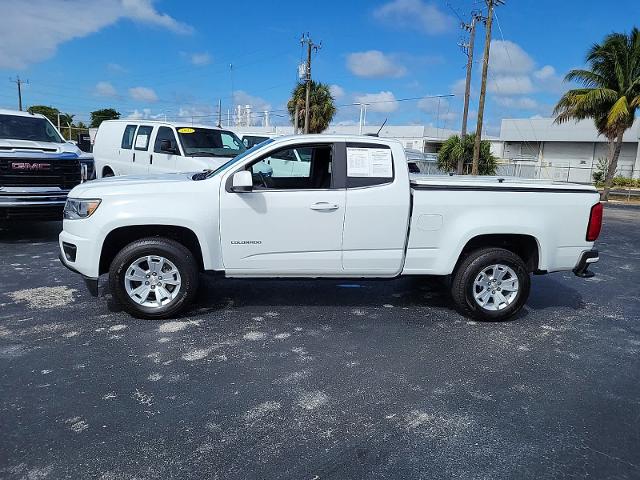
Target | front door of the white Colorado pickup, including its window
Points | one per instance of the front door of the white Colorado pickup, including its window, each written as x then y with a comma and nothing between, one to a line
292,219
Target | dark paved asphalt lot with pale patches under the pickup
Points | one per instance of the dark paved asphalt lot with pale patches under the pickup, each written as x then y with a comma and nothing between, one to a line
319,380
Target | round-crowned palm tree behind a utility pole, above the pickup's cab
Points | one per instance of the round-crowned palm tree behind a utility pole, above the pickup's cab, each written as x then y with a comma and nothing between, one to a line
322,108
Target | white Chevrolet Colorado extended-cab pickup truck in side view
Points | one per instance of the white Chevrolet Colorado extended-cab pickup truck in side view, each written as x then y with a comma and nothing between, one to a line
353,213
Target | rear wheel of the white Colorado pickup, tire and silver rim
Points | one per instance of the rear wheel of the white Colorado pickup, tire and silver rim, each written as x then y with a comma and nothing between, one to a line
491,284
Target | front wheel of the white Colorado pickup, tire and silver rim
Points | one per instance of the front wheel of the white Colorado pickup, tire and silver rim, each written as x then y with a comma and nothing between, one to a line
154,278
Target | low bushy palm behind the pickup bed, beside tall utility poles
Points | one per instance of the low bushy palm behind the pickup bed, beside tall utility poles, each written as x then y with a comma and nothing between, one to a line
454,148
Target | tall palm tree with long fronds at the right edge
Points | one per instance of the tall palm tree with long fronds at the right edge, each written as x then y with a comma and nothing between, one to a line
610,93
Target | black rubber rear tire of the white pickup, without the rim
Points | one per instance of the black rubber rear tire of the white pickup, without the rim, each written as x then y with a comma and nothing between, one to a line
462,285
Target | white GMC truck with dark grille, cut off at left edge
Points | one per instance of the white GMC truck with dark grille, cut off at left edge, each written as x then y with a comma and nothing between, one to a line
38,167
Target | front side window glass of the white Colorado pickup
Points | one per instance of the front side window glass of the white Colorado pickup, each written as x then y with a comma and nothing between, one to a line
294,168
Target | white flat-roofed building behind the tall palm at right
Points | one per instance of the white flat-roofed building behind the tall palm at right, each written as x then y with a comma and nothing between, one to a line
574,148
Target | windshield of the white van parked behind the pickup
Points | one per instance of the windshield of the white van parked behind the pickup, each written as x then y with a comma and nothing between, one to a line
207,142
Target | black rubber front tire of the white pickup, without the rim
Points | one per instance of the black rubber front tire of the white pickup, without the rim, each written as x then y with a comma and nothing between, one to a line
178,254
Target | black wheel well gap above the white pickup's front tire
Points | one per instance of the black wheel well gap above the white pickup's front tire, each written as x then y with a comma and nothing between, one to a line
120,237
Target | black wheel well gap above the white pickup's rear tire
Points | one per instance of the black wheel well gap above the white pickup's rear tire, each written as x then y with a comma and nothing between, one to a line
525,246
